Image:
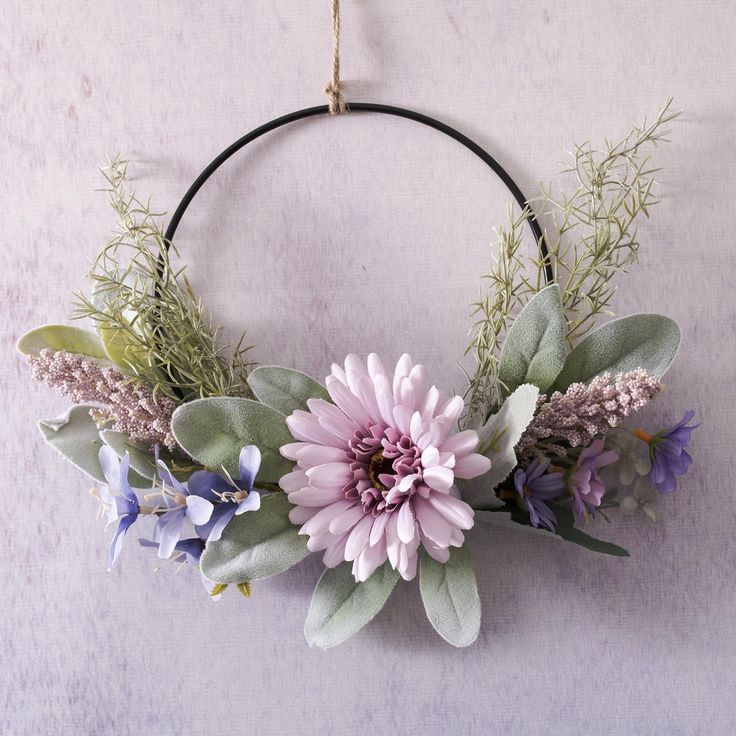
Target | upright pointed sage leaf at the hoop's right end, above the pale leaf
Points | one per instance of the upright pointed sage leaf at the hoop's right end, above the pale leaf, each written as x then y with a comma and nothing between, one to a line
534,350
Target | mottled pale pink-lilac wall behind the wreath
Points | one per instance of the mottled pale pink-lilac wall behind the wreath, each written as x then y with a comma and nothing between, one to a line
358,234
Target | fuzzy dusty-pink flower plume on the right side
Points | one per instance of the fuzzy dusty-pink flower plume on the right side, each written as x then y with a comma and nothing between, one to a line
584,412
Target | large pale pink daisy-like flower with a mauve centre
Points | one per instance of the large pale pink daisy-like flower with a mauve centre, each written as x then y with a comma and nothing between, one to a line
376,469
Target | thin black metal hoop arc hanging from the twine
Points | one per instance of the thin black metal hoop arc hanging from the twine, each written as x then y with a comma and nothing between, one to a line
366,107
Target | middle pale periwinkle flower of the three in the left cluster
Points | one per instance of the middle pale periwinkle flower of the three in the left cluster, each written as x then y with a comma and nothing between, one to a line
182,504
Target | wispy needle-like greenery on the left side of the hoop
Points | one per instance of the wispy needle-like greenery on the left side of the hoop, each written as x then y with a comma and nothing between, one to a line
152,325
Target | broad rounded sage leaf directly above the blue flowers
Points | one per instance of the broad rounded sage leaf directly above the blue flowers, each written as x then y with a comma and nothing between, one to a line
214,430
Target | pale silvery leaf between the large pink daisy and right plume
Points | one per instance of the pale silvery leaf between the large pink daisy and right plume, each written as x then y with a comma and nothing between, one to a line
497,440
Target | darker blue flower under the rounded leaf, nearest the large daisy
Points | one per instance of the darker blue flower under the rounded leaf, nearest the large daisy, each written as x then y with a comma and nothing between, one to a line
233,496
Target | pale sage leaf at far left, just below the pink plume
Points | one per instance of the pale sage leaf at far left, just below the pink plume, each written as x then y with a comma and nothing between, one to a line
76,437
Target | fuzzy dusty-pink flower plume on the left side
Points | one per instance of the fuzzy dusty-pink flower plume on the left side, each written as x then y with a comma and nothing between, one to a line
130,406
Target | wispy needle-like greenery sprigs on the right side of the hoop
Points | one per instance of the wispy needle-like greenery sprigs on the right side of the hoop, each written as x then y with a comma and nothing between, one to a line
592,237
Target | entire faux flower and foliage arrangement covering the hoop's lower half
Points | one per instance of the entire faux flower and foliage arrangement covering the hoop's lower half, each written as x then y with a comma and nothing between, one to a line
243,470
